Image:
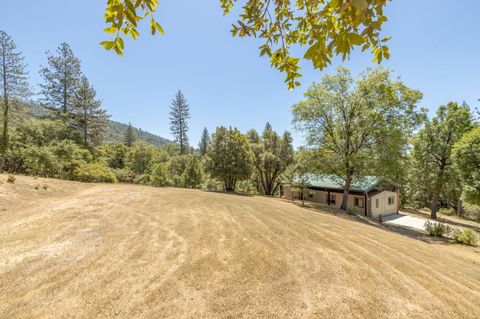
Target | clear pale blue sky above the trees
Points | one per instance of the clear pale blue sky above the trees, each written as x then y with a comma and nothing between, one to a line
435,47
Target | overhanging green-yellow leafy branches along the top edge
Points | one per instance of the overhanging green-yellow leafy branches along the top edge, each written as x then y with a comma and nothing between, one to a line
326,28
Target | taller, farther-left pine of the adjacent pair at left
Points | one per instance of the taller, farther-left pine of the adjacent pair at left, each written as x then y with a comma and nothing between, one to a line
61,80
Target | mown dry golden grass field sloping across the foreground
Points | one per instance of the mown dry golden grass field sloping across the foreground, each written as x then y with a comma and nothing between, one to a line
78,250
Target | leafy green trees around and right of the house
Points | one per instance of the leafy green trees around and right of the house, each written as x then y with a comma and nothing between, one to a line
373,125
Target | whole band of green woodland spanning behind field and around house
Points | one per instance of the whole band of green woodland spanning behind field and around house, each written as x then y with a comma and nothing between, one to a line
354,127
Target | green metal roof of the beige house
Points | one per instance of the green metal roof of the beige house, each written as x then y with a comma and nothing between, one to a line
363,184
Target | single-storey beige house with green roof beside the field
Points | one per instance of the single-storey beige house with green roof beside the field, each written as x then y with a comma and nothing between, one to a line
370,196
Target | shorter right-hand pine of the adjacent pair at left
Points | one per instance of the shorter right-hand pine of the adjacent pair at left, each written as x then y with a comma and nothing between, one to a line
89,117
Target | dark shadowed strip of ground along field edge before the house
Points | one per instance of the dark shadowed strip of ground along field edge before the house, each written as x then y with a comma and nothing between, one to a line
401,230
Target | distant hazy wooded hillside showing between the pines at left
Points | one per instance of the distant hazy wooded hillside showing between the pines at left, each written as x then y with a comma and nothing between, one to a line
115,130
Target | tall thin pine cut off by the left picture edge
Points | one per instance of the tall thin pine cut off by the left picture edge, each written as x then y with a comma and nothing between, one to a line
13,84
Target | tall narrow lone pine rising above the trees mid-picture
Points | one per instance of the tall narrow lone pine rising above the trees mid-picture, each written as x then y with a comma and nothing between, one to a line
179,114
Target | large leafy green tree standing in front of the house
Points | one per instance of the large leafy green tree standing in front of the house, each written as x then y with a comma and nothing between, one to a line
358,128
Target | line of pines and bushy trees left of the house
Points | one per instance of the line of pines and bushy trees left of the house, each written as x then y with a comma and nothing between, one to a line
69,141
